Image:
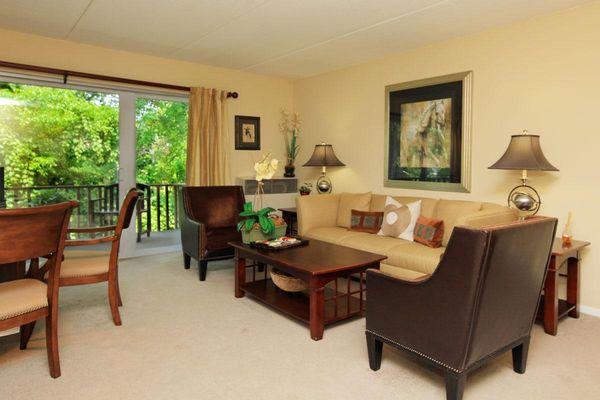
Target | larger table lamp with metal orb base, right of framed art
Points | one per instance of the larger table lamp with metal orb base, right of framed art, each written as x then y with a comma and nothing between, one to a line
524,153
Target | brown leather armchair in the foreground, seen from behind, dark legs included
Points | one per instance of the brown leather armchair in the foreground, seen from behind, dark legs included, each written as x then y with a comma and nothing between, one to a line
480,302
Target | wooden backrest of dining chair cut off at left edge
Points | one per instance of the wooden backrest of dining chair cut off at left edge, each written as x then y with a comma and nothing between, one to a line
27,233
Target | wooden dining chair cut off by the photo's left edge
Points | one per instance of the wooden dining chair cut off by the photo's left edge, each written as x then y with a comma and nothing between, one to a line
28,234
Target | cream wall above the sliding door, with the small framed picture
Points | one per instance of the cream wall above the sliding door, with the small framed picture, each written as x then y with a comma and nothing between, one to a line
258,95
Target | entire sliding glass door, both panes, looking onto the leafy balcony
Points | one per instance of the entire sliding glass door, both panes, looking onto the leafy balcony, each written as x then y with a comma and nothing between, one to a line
92,145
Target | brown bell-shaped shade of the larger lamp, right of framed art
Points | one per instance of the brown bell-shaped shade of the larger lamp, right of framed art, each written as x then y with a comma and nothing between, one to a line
524,153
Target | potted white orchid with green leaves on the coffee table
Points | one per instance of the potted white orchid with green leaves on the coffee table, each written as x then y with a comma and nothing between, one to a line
262,224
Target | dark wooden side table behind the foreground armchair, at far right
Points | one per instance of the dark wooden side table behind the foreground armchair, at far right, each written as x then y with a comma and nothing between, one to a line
551,307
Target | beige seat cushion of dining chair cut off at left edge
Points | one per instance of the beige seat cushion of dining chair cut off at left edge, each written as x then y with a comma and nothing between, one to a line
21,297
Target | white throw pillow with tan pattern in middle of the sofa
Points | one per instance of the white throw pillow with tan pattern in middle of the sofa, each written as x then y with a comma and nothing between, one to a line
399,220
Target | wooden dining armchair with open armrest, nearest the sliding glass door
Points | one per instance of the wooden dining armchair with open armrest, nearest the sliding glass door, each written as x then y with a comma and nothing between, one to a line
84,267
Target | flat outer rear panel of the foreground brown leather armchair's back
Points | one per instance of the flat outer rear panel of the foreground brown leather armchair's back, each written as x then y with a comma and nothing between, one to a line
511,281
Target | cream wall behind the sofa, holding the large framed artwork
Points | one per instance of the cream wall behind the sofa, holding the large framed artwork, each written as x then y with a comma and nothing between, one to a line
542,74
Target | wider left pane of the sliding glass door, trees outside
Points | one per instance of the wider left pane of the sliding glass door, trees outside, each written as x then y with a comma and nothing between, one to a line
60,144
